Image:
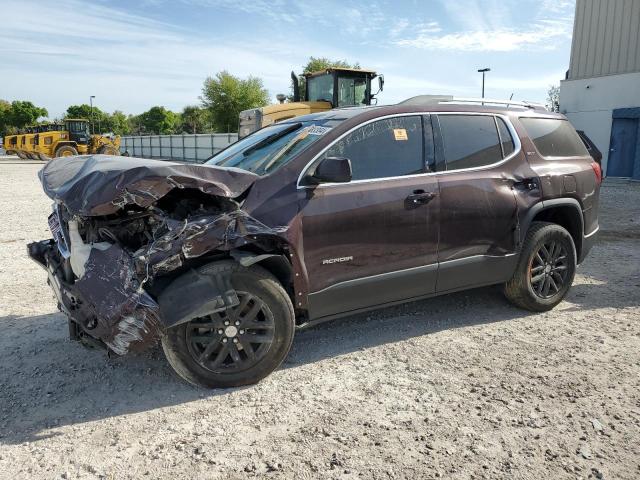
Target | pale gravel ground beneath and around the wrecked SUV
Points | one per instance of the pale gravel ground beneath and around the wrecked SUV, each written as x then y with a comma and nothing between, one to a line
461,386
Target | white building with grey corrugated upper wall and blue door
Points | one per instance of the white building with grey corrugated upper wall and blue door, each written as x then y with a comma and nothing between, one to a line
601,94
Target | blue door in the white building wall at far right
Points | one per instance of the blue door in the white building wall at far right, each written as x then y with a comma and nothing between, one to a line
622,150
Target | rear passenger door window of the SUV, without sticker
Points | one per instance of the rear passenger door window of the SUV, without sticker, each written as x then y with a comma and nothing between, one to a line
469,141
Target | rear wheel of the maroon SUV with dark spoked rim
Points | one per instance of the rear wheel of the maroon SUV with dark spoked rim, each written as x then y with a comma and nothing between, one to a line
545,270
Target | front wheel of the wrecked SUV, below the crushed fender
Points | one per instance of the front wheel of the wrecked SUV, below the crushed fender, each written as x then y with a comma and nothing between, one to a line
222,368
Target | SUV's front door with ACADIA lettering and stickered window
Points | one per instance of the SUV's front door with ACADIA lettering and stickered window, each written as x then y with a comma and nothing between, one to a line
374,240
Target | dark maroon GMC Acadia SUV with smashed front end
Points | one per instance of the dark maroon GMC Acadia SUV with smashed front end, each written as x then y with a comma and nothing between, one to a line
315,218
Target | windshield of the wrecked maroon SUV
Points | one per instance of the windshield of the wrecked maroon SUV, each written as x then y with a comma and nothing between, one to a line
272,147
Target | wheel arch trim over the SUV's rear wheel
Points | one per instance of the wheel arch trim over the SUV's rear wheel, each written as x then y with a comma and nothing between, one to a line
565,212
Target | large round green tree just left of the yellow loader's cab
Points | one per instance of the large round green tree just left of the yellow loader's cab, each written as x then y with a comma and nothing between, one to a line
225,96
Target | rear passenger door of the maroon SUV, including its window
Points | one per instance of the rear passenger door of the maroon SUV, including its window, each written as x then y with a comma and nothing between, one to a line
478,209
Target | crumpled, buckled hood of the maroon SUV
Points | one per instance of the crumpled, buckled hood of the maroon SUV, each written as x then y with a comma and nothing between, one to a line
94,185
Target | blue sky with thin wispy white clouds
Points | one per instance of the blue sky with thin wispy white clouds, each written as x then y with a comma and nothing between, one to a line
135,55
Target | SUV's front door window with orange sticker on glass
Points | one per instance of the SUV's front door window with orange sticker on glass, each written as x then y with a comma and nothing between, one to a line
386,148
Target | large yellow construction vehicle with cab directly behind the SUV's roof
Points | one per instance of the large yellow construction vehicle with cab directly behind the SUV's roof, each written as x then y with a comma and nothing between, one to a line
326,89
